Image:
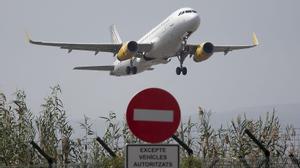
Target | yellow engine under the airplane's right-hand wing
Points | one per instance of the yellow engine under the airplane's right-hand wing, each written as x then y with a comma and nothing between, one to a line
203,51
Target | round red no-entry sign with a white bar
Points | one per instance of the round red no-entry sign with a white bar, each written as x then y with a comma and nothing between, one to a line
153,115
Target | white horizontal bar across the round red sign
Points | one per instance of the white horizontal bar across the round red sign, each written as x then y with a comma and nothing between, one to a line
153,115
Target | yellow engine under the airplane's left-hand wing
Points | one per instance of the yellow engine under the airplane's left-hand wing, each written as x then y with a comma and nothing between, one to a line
127,51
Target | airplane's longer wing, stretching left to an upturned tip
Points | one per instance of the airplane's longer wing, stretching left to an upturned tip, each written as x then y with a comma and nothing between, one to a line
104,47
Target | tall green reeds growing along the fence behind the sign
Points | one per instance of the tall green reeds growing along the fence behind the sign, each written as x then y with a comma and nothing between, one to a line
212,147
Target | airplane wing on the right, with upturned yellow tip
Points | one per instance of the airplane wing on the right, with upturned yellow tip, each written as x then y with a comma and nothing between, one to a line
227,48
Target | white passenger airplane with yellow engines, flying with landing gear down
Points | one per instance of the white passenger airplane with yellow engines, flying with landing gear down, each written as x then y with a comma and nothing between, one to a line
164,42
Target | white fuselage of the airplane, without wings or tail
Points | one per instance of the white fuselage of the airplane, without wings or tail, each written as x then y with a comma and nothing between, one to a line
167,38
